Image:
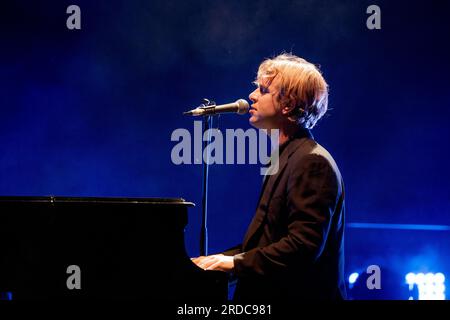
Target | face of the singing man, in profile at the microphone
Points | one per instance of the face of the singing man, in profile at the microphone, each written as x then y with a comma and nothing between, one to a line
265,111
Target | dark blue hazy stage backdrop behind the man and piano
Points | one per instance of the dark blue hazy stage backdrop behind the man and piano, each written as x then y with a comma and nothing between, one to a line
90,112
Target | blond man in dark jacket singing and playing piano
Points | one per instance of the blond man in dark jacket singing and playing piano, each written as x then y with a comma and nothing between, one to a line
293,248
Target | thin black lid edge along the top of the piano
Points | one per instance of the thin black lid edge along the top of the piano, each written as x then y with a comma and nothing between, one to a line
95,200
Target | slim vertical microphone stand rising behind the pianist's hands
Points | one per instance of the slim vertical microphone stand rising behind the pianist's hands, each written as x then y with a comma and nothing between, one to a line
207,124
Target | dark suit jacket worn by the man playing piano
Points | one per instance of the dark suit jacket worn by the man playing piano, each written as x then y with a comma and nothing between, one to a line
293,248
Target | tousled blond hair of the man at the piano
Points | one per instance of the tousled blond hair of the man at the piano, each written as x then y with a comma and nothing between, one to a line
301,85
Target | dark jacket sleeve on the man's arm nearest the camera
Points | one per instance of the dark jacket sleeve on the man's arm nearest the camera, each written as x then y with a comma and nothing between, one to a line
312,193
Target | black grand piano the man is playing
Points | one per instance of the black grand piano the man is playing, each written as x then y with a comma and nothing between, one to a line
125,248
